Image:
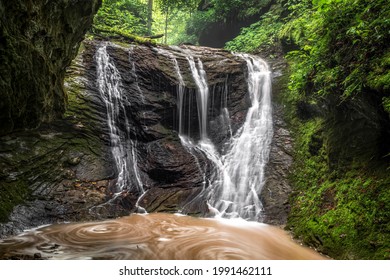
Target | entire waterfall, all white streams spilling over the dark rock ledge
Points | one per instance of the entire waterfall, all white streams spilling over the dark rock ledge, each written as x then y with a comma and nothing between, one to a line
235,171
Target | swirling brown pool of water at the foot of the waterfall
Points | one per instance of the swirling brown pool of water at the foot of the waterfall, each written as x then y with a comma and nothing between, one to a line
158,236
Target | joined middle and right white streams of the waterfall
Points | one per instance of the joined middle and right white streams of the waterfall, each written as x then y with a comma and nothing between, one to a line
238,174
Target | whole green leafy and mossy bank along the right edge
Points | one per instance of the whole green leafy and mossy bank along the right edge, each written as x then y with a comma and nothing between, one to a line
341,54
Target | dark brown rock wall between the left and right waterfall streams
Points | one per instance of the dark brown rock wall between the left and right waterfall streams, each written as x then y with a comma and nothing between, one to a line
171,176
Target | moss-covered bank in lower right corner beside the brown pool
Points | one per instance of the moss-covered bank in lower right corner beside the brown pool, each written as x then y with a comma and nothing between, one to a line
345,216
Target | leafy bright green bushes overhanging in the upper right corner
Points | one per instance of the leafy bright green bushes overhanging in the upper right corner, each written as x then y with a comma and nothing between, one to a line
342,46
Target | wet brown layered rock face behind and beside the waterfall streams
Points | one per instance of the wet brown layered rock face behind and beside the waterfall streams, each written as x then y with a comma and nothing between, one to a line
67,171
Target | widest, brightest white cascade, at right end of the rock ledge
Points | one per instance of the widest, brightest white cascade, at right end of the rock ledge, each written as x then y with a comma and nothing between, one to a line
243,166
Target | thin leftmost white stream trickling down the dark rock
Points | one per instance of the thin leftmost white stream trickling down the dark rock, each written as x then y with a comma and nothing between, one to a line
122,147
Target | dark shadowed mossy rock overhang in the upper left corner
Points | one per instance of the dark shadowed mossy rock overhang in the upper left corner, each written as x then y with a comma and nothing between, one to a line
38,40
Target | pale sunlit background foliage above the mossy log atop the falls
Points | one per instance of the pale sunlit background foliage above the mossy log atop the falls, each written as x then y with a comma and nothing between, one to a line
129,18
